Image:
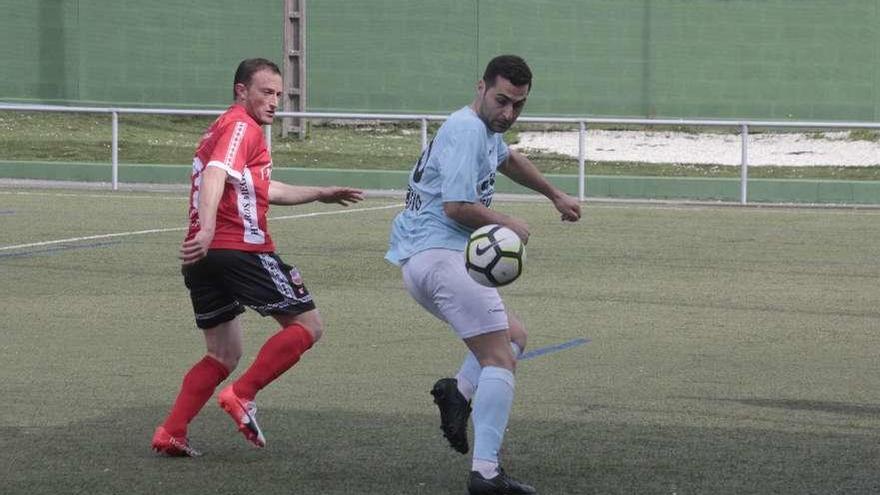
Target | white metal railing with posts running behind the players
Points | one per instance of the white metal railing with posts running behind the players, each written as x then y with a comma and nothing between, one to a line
582,123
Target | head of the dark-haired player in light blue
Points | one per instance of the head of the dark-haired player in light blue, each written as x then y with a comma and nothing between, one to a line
502,92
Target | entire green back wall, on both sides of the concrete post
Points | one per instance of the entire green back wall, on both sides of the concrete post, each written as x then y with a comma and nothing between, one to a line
767,59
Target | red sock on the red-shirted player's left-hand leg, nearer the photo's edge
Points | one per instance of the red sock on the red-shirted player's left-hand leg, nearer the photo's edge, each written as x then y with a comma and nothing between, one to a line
198,386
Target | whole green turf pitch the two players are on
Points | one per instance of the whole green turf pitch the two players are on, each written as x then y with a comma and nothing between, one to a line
732,351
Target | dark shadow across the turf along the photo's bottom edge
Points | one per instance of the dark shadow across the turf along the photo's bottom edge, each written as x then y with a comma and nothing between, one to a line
334,452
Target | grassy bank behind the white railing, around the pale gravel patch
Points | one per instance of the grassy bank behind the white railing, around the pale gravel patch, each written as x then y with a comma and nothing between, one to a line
171,140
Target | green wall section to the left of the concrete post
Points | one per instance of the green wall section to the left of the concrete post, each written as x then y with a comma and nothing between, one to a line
129,52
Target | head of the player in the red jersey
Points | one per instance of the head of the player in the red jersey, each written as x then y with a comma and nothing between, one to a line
257,87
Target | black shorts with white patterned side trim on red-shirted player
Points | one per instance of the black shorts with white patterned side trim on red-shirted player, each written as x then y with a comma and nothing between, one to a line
224,281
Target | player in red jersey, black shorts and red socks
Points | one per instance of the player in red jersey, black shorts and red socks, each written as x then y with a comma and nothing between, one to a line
229,261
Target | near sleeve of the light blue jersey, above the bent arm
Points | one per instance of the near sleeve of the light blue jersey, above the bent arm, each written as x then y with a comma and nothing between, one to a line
458,162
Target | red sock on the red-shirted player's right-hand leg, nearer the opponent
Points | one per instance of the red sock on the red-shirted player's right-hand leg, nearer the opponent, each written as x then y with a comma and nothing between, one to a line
277,355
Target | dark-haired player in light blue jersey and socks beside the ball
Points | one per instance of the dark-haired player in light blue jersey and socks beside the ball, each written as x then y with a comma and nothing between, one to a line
450,191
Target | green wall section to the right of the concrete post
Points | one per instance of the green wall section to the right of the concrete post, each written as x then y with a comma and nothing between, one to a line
773,59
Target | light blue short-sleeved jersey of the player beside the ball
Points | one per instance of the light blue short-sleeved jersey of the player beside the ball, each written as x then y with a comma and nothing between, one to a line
459,165
